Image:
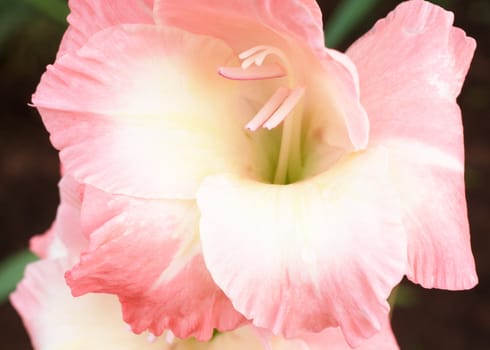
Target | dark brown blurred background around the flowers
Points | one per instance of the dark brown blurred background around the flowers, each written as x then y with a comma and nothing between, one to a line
30,31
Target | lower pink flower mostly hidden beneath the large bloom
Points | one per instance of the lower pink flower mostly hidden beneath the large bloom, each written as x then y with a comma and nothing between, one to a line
57,320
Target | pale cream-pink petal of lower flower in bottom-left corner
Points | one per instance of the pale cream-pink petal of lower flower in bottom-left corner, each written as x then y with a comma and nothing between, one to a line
56,320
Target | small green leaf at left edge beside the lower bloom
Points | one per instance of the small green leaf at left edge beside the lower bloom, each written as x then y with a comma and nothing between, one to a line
12,270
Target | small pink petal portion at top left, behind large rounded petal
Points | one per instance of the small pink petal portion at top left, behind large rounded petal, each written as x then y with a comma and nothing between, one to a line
88,17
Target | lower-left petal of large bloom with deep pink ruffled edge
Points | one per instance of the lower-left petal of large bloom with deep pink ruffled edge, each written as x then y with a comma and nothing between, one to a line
147,253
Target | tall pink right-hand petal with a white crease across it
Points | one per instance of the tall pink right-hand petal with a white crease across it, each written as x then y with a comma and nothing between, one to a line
411,68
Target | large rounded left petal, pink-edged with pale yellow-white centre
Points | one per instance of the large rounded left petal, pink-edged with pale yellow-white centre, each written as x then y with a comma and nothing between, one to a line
149,102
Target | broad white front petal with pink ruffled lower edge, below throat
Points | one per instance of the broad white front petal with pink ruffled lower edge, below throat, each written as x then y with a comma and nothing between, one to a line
321,253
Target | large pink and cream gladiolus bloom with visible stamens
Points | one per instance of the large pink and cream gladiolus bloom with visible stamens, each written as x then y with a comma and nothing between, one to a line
234,169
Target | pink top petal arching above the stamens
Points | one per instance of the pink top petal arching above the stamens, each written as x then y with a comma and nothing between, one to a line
242,24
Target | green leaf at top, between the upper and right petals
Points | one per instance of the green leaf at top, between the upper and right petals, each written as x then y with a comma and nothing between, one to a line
346,17
